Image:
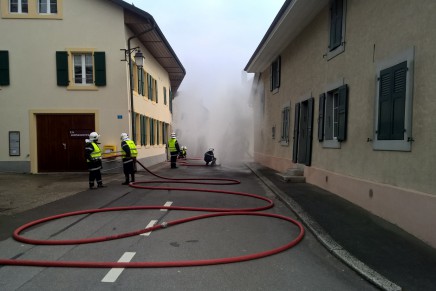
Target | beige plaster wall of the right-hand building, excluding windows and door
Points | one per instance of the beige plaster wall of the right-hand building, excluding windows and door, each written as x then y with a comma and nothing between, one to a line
404,191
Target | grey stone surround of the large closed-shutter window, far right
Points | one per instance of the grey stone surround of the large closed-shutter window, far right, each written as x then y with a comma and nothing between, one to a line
404,144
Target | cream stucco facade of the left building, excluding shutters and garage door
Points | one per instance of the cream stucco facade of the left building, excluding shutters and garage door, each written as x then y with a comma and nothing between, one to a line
31,42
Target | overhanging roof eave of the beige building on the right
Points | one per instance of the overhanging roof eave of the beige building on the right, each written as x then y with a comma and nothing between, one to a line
292,18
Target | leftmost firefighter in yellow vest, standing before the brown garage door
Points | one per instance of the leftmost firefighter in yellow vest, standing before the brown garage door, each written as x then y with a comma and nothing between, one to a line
93,160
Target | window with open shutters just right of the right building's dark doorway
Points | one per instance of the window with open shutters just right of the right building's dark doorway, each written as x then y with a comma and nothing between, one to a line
332,119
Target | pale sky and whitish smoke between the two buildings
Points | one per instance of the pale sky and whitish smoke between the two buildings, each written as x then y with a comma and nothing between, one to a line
214,40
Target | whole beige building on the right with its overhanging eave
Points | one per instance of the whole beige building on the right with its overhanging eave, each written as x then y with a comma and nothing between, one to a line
349,98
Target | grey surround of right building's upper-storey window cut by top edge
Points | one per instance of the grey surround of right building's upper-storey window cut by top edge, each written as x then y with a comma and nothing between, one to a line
338,49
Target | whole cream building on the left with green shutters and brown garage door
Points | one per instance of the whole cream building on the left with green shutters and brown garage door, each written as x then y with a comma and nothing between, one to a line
64,72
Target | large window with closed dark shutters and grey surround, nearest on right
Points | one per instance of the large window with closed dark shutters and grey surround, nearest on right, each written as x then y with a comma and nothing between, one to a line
393,120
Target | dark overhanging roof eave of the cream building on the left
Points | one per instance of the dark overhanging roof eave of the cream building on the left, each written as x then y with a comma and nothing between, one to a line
154,41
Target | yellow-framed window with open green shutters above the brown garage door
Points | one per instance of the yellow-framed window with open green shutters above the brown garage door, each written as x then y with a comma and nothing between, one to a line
87,69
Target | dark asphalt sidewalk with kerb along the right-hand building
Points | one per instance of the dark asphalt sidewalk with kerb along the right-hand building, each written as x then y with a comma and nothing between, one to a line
380,251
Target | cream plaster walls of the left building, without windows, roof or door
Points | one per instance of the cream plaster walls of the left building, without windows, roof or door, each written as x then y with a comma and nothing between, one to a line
32,44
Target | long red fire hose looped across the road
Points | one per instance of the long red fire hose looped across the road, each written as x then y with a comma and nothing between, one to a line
215,213
